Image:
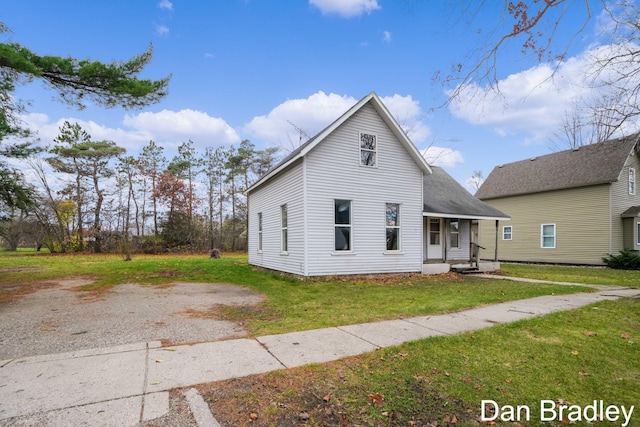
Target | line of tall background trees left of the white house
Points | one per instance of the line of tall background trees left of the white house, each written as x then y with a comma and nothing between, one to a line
113,202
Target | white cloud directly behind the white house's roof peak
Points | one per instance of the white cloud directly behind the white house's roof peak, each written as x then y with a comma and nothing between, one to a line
314,113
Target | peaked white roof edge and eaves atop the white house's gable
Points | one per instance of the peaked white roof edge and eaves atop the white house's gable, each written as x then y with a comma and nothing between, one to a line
386,116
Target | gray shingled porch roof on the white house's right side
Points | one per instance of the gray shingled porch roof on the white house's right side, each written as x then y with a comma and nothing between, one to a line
444,196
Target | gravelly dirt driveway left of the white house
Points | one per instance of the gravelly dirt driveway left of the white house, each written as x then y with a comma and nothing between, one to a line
60,318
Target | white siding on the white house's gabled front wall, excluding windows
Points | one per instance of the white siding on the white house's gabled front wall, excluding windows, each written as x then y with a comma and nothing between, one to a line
333,174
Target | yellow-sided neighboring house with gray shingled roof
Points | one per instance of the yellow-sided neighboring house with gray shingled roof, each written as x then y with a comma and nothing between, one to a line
574,206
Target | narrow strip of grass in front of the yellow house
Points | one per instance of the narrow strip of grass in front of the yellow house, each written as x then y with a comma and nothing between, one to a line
570,274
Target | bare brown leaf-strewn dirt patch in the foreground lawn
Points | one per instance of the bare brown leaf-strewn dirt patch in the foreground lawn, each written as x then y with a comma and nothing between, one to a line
326,395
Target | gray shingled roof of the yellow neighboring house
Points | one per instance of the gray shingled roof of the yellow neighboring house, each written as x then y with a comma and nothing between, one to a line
584,166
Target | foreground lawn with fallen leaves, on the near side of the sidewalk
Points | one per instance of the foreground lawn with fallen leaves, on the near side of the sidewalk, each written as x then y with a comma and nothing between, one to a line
573,357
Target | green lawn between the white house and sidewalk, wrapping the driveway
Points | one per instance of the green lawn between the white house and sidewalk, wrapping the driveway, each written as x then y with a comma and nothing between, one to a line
291,304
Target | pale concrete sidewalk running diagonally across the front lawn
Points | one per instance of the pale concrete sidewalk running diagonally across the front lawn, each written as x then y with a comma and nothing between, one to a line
129,384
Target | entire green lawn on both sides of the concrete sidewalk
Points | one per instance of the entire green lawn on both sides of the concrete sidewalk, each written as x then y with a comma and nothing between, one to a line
575,357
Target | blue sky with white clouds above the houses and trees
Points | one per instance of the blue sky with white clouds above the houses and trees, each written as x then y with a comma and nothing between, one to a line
257,70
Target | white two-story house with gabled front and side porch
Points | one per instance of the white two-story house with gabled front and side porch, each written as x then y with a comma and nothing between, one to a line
355,199
